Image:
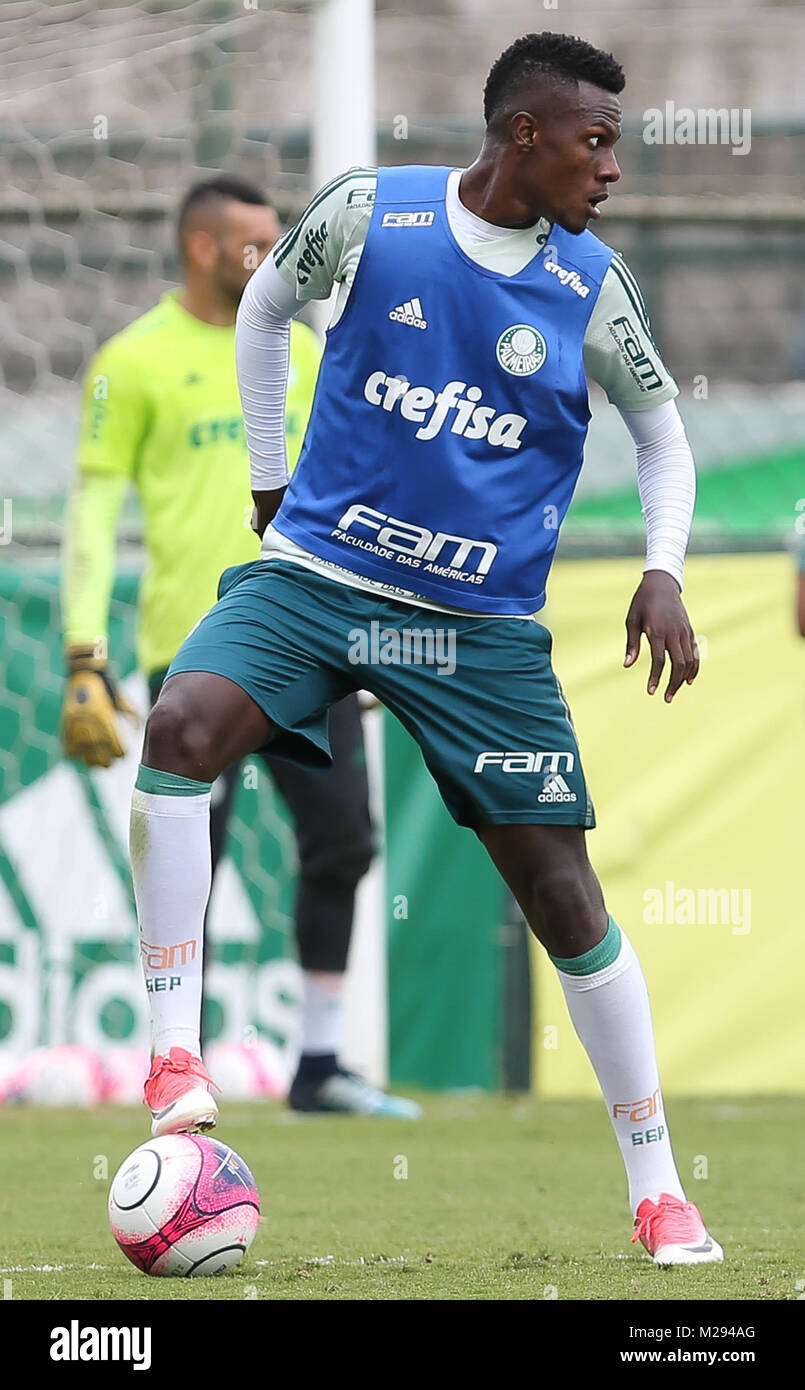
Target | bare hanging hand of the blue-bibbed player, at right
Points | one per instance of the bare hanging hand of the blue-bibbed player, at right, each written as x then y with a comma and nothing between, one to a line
658,611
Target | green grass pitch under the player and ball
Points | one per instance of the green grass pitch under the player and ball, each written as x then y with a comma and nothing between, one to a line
504,1200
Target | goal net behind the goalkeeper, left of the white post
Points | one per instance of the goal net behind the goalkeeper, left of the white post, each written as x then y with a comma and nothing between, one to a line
109,113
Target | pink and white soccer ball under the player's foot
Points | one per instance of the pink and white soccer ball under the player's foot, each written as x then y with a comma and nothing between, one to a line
184,1206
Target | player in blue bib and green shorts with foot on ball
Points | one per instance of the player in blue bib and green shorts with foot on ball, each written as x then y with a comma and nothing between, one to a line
446,441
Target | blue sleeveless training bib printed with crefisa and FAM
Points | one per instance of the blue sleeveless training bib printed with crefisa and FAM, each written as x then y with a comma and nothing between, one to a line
451,409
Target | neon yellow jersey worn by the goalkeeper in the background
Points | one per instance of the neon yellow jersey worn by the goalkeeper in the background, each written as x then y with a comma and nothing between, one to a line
162,409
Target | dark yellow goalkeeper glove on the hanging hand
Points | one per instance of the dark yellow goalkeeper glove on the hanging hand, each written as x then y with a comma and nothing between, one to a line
92,704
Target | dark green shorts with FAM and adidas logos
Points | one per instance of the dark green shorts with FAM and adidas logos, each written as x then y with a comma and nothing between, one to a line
478,694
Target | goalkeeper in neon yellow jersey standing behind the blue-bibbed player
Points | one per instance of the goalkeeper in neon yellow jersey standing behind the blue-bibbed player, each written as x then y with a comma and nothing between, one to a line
162,409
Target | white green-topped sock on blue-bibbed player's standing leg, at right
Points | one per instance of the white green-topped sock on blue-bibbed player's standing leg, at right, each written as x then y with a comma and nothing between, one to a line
608,1001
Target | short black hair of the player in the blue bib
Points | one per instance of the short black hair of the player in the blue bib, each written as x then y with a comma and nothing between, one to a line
554,58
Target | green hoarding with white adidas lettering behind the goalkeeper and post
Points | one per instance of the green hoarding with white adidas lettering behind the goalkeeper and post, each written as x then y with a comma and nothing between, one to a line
67,919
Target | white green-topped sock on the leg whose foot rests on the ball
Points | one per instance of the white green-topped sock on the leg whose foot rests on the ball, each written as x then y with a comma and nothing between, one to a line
170,857
